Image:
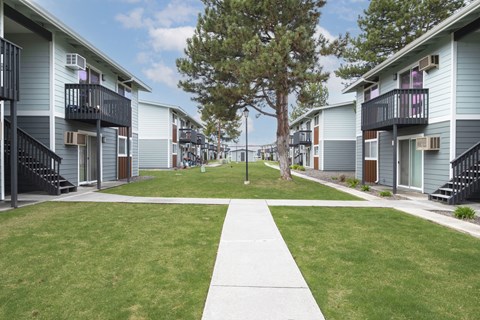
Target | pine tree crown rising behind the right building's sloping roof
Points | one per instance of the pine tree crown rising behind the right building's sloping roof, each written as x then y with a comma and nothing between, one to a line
386,27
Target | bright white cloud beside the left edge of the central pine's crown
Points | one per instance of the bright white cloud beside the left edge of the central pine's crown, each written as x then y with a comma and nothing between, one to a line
170,39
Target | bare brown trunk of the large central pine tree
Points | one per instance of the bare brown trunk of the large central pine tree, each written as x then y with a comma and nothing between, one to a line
283,135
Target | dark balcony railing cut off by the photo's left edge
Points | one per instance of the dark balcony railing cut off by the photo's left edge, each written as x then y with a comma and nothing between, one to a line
9,71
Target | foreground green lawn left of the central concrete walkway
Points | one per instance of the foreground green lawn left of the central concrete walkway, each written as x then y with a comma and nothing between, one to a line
107,261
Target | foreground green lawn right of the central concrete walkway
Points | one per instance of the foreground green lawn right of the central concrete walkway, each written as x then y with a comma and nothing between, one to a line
366,263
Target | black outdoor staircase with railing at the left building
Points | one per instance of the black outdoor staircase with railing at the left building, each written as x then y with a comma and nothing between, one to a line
37,163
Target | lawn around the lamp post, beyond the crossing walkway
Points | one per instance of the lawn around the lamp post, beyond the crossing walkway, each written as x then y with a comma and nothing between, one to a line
227,181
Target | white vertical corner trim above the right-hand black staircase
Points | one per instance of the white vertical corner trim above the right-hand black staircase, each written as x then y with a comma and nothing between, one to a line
453,104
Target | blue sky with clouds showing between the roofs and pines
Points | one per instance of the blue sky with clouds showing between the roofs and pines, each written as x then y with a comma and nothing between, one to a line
147,36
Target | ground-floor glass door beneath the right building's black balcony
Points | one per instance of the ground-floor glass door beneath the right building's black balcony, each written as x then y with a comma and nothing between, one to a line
410,164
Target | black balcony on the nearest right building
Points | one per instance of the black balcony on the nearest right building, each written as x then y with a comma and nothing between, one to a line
401,107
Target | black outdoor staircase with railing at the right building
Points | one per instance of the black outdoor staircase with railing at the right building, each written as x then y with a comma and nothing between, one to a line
465,181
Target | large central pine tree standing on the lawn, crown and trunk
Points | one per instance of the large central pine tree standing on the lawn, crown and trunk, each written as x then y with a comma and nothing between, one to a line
254,53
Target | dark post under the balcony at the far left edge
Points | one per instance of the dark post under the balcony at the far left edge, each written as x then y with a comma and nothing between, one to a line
13,156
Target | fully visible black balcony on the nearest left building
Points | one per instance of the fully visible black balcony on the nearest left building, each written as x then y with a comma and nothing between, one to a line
92,102
